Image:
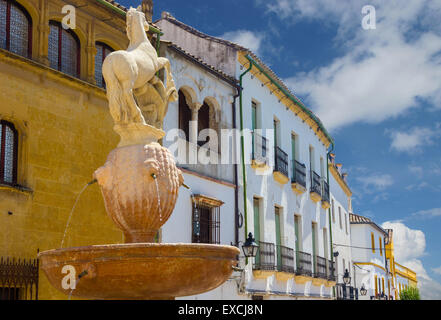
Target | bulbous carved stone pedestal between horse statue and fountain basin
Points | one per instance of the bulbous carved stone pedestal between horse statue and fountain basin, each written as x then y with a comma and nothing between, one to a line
137,203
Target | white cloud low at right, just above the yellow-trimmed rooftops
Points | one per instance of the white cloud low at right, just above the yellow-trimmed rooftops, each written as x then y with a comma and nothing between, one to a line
409,247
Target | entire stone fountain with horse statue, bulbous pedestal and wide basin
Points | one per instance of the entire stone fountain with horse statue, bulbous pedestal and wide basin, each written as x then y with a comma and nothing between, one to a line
139,183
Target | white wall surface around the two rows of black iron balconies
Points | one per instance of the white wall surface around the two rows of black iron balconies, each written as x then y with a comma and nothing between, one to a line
273,193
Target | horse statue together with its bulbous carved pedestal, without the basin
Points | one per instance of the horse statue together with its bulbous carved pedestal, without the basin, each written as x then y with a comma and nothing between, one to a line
140,180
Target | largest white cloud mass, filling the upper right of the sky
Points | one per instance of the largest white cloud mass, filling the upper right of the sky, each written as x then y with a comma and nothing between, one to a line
384,72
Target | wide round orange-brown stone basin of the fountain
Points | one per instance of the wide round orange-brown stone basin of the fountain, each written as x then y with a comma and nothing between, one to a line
141,270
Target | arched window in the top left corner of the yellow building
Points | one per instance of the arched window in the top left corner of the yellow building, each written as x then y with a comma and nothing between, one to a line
15,28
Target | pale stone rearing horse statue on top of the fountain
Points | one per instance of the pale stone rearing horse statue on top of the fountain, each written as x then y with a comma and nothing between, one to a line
127,72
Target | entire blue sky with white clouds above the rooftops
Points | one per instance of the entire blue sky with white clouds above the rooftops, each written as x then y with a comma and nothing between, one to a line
377,91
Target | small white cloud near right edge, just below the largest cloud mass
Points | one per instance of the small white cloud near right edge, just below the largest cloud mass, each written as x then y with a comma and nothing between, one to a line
412,140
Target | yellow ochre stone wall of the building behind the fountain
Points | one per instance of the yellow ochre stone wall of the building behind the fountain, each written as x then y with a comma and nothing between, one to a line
65,134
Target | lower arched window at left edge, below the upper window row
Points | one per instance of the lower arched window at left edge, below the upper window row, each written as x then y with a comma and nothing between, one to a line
8,153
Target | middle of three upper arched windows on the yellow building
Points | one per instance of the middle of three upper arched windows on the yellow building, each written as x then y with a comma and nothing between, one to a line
64,50
